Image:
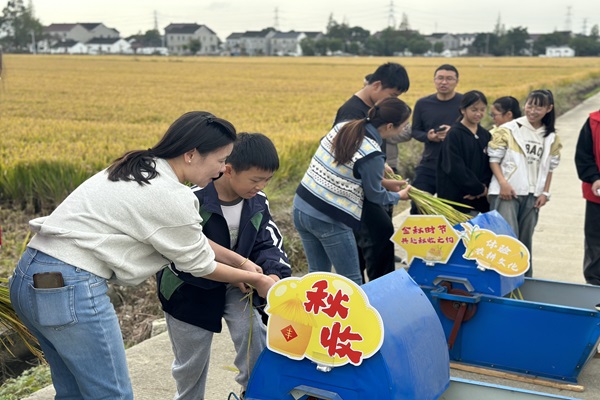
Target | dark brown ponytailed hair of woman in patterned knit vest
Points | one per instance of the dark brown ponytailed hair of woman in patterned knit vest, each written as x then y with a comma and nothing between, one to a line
390,110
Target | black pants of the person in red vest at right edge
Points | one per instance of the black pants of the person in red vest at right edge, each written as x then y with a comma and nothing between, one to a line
591,256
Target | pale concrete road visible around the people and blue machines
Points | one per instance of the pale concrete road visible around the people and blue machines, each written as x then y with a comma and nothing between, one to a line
558,255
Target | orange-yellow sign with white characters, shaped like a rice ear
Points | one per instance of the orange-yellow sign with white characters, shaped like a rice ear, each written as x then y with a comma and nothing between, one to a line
501,253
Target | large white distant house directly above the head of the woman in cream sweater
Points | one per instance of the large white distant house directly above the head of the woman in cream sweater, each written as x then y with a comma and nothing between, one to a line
179,36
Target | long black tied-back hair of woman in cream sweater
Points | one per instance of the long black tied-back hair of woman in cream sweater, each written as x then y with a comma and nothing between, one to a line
198,130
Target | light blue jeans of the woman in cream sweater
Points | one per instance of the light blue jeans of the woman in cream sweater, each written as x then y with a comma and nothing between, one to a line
77,328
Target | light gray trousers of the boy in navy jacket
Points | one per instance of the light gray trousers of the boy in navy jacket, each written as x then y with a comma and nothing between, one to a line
192,344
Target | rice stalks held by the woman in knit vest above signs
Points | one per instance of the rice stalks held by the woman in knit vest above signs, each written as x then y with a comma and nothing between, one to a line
431,205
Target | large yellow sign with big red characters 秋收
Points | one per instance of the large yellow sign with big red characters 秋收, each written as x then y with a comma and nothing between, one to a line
324,317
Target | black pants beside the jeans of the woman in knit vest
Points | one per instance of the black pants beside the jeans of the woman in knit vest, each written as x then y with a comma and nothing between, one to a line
376,250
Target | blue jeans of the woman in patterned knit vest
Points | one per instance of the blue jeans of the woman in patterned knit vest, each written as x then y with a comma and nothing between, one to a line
326,244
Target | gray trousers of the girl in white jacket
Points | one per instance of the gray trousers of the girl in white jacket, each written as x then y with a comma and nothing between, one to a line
522,216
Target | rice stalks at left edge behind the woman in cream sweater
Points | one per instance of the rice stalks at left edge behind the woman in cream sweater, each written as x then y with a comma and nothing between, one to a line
10,321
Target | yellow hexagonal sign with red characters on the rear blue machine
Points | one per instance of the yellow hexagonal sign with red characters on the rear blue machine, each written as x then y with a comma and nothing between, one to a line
428,237
